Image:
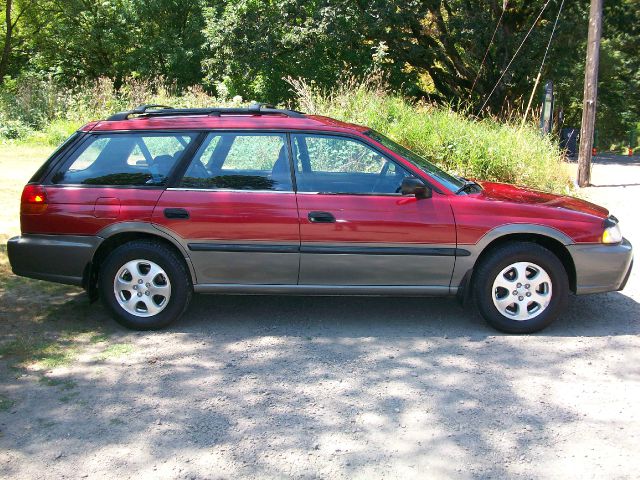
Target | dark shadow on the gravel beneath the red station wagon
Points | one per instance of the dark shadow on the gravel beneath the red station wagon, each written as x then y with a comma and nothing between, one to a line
590,315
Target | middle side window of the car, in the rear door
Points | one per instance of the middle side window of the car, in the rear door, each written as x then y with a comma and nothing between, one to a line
240,161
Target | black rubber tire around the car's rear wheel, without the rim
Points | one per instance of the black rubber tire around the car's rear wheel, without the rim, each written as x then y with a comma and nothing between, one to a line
168,261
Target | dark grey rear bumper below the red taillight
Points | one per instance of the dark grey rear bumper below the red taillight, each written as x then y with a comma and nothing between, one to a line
55,258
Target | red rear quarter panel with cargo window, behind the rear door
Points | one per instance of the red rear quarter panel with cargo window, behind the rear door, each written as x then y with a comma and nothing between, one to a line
111,177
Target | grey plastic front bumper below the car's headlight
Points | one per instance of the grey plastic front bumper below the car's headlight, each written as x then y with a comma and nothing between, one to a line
601,268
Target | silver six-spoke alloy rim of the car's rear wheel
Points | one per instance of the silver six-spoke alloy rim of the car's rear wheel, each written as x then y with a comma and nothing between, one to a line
142,288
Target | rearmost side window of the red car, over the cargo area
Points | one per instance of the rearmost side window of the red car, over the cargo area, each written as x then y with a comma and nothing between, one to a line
124,159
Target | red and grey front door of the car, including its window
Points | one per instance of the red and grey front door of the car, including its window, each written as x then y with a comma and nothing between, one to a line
355,226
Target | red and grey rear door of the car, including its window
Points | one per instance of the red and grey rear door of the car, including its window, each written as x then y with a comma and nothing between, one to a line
235,209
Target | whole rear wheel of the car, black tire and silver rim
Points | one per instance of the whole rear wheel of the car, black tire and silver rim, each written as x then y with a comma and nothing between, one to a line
144,285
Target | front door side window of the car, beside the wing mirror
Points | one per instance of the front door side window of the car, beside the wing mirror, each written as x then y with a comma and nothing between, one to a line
332,164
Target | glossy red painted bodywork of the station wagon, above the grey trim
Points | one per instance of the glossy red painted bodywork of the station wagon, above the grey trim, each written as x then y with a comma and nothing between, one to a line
273,217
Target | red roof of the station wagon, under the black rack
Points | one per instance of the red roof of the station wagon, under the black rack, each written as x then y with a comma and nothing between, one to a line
224,122
